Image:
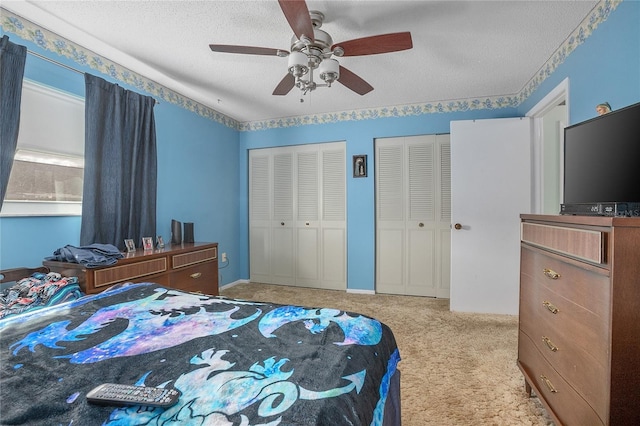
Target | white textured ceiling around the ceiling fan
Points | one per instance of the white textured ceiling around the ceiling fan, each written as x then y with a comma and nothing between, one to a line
461,49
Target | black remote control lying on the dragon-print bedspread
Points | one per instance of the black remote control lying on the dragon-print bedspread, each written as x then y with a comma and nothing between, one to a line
117,394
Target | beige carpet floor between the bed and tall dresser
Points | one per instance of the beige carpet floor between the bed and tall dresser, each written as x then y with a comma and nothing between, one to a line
457,368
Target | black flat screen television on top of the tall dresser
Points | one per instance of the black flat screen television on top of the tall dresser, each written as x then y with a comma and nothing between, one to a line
602,164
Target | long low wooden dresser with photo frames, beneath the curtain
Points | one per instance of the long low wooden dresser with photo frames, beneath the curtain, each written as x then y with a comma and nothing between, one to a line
188,266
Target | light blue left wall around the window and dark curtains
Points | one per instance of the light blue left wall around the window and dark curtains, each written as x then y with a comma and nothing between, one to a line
197,178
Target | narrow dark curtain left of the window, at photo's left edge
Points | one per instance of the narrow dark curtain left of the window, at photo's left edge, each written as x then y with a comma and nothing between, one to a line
12,60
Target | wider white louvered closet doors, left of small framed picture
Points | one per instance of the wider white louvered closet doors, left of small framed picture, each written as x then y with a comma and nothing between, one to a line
297,227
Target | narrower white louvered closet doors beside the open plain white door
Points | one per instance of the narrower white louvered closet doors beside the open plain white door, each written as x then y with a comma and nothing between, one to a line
412,215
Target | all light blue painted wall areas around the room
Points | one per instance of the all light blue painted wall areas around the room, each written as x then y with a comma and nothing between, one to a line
203,165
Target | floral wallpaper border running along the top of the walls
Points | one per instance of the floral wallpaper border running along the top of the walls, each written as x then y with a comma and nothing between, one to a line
47,40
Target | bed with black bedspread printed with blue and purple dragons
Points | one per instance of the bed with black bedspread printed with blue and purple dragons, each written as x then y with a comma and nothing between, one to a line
235,362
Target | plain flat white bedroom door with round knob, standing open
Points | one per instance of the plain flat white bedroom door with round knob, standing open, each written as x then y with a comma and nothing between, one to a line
490,188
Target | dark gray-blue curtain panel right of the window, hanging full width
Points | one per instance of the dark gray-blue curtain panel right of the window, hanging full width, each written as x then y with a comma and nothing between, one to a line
120,172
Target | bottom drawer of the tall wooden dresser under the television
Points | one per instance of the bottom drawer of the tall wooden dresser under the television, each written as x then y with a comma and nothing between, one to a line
567,405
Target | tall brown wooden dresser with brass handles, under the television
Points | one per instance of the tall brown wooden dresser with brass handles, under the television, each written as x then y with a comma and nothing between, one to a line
579,338
